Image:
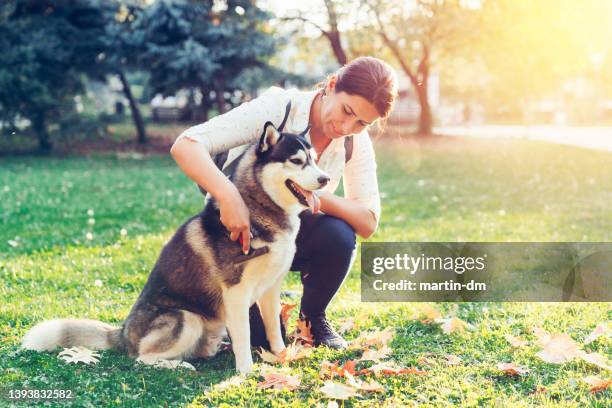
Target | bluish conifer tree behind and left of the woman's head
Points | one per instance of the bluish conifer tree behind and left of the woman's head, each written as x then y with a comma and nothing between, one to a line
202,45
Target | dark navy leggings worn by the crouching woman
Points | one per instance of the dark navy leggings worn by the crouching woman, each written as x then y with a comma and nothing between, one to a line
325,246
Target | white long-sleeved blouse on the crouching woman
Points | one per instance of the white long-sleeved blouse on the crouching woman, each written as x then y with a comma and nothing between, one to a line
243,125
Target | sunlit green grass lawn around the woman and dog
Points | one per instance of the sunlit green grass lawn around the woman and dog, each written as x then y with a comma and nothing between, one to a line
445,191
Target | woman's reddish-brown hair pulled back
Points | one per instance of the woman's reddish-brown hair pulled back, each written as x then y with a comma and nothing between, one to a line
370,78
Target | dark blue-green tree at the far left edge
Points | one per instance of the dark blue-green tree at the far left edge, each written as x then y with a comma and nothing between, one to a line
44,47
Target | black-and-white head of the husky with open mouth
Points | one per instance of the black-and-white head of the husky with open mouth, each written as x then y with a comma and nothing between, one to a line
289,172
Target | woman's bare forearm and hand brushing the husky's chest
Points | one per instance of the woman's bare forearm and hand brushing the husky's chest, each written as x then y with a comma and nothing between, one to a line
195,161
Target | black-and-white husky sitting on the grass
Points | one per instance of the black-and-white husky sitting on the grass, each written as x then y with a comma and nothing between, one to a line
196,290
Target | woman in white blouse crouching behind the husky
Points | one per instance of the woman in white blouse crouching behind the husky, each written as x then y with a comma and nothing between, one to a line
349,101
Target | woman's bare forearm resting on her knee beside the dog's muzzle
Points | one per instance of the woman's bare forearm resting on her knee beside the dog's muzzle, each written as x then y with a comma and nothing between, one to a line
356,214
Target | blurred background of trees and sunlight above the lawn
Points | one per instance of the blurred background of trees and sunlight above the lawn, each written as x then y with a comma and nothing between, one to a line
104,74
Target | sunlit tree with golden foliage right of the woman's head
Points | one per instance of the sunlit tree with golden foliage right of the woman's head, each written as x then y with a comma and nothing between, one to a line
420,33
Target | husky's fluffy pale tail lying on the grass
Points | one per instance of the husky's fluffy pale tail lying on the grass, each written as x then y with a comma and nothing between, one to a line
92,334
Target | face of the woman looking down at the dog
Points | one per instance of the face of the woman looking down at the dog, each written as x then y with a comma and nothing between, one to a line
343,114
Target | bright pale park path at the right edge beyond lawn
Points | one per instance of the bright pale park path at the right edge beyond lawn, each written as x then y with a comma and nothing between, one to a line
593,137
